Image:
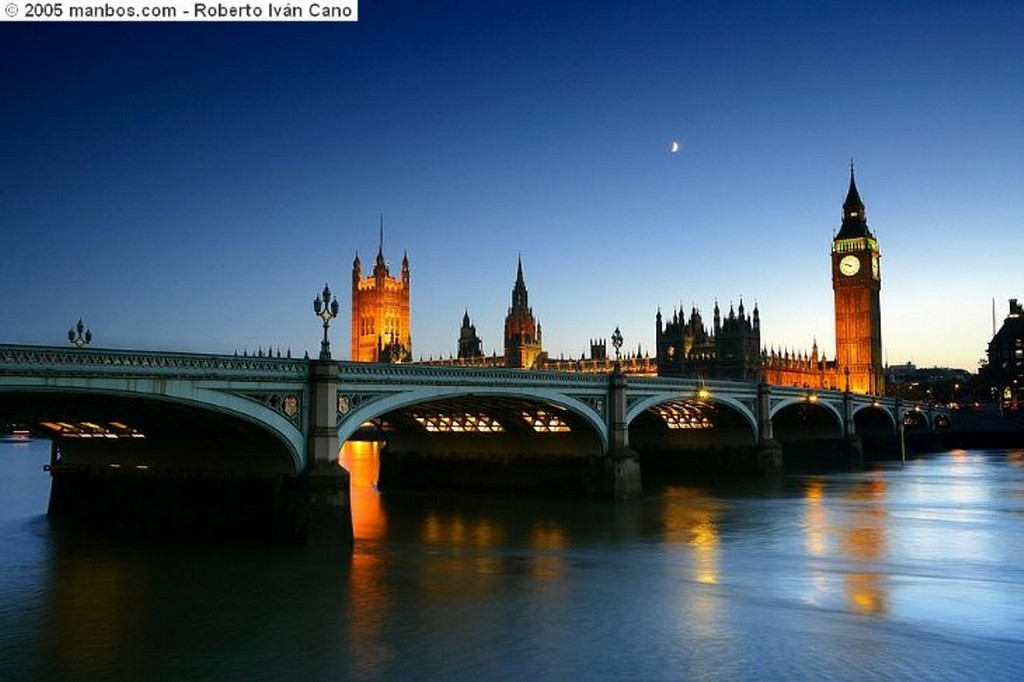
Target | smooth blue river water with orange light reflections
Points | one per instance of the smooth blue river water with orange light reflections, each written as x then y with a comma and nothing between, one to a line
913,573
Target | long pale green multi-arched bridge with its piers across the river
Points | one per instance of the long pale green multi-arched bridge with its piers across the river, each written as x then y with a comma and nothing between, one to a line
257,439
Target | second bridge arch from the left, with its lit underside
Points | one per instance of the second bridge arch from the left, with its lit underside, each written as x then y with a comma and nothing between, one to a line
478,438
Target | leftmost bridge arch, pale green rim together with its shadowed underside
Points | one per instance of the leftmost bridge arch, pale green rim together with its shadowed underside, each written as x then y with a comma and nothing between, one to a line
180,422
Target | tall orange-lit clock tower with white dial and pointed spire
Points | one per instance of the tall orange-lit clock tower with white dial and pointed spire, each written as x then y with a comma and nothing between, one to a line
857,283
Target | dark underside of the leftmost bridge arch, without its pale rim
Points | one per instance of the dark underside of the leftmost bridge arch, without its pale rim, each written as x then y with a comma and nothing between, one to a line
154,434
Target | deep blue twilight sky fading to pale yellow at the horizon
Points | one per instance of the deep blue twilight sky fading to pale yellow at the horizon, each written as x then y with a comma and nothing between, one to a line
193,187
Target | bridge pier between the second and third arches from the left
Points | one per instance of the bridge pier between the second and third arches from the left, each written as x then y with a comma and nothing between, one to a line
617,475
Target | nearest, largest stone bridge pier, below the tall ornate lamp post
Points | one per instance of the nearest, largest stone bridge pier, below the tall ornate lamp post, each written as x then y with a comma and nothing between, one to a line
325,516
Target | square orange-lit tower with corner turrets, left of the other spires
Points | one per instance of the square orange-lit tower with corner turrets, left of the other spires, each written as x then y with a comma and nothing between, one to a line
380,312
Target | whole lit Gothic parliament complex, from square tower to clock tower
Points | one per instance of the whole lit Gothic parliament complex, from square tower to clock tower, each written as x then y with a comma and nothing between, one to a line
731,349
